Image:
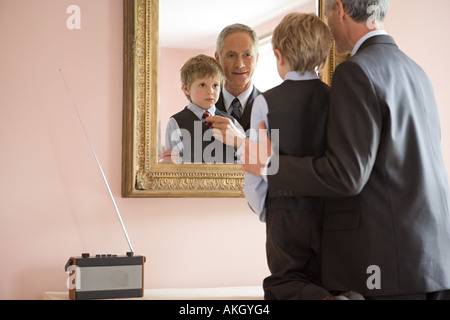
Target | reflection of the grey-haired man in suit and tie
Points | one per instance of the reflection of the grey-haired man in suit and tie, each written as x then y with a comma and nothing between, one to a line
237,53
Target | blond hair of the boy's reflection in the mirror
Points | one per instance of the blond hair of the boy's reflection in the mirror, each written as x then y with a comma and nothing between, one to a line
200,66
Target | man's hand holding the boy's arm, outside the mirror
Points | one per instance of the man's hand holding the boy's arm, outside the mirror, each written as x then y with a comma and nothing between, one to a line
256,154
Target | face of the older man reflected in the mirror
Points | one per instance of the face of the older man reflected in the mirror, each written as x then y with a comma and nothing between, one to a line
238,60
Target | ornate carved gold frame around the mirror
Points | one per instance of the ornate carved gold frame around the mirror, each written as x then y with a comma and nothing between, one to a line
142,175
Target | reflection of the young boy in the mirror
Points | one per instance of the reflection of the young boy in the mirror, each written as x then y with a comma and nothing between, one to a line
188,134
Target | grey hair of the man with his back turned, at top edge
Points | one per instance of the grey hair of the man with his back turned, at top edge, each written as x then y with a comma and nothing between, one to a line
362,10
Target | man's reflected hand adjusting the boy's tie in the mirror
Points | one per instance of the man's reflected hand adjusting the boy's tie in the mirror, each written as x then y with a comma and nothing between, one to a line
226,131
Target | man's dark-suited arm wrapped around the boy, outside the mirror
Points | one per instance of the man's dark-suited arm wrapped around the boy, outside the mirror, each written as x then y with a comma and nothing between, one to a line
353,136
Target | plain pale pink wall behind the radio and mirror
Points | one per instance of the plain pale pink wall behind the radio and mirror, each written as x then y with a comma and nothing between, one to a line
53,203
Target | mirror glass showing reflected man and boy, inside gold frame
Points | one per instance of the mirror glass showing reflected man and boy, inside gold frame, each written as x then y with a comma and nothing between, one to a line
211,70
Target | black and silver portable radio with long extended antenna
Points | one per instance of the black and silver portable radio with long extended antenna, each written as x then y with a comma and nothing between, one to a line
104,276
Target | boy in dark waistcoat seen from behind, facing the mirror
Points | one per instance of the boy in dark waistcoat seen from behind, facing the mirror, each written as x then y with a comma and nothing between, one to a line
298,109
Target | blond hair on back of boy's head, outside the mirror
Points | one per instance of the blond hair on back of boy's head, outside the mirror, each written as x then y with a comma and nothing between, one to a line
304,40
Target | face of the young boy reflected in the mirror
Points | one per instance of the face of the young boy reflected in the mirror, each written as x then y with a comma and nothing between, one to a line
204,92
